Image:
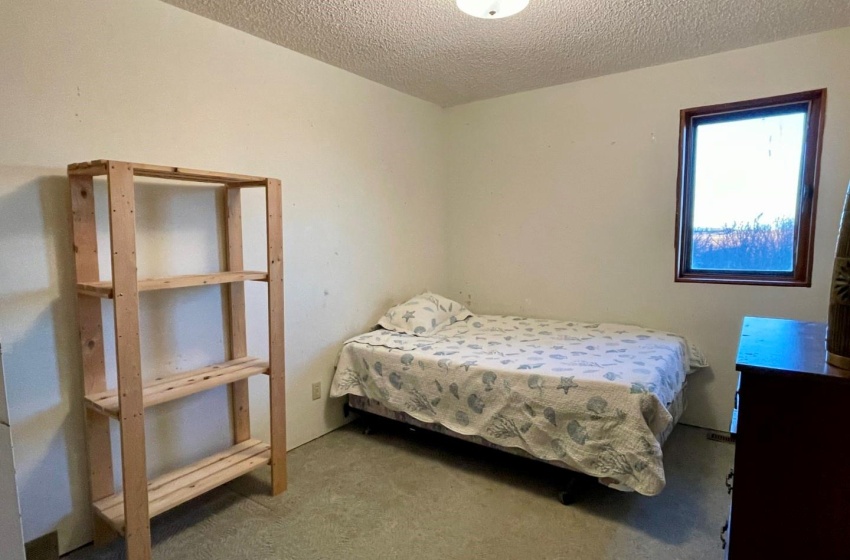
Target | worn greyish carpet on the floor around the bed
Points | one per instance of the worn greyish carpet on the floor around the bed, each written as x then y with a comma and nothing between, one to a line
398,494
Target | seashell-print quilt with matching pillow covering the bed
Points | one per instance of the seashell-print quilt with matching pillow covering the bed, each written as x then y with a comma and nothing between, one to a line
595,398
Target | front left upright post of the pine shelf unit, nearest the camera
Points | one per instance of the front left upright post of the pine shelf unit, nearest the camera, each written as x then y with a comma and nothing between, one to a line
122,222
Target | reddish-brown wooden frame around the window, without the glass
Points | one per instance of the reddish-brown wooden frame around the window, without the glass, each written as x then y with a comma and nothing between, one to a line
804,234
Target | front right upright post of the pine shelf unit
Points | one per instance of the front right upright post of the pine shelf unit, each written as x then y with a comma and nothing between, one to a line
277,379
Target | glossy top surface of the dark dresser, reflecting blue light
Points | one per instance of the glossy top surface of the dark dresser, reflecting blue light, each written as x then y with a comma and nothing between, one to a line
770,345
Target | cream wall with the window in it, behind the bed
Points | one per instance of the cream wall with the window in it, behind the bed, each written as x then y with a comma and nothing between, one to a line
563,200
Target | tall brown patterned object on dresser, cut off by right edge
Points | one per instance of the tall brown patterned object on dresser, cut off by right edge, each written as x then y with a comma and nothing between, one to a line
838,333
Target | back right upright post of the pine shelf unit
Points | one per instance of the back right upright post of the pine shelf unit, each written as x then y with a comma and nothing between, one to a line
239,404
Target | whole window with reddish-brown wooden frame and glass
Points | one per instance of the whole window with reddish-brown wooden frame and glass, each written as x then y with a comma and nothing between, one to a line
748,175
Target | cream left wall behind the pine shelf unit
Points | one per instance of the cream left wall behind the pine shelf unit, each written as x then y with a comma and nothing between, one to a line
144,81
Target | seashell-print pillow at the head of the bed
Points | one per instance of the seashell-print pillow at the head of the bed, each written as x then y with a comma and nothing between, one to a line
423,315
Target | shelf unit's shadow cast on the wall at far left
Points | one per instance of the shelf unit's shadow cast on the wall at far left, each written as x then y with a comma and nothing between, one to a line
42,357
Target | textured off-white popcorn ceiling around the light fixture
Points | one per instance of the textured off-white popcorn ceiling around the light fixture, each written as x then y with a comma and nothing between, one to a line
431,50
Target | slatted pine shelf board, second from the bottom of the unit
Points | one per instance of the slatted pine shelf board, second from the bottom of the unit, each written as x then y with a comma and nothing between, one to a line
173,387
